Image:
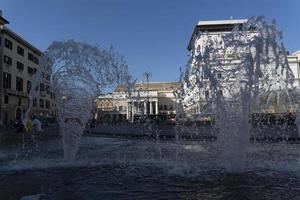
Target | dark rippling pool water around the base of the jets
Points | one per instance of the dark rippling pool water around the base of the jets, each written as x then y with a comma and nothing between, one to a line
116,168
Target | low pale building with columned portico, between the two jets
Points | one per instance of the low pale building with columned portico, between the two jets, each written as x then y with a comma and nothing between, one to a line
152,99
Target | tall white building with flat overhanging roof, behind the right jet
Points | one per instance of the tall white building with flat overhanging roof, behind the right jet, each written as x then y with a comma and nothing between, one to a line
196,97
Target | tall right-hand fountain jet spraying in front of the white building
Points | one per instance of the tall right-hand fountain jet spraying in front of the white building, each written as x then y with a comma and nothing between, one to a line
233,69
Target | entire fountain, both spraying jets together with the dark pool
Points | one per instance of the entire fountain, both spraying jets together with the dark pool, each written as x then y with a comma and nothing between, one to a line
118,168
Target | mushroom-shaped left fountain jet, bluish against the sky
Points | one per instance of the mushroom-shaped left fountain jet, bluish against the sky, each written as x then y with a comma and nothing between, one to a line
79,73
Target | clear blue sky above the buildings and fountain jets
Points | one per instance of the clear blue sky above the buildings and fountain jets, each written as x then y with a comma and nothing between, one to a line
151,34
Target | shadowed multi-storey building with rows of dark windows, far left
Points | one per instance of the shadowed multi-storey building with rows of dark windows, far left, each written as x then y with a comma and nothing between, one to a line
19,62
